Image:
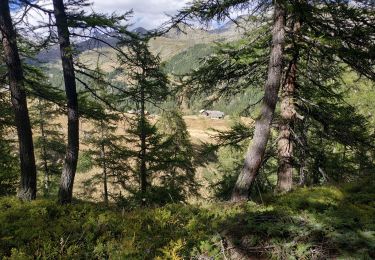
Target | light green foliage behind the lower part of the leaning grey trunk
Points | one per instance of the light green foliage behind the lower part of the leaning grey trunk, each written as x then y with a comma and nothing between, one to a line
226,161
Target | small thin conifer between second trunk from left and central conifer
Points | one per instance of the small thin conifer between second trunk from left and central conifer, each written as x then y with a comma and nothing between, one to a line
105,142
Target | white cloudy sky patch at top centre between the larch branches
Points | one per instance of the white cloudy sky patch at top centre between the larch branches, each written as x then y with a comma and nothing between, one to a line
149,14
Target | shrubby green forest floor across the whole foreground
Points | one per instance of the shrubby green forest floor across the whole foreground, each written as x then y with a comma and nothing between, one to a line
325,222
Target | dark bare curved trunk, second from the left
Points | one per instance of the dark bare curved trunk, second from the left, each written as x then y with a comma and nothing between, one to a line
71,156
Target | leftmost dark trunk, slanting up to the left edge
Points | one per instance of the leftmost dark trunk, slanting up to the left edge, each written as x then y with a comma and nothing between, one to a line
18,96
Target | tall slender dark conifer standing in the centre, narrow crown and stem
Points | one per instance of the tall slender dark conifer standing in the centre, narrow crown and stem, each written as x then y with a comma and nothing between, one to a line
146,83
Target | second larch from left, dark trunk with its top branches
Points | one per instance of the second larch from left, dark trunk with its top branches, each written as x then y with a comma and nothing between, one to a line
70,20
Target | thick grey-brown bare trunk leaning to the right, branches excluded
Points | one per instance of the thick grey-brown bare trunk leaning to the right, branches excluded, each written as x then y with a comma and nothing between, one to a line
255,154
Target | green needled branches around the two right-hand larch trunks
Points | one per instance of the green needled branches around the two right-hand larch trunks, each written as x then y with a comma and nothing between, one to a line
334,142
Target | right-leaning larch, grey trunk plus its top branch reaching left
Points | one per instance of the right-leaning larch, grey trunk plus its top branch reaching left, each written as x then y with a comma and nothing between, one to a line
207,10
